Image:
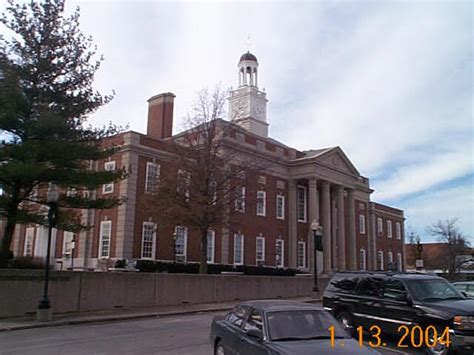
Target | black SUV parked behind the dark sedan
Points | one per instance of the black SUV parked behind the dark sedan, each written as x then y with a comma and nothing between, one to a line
391,300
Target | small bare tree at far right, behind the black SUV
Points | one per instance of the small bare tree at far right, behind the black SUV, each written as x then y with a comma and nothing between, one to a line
448,232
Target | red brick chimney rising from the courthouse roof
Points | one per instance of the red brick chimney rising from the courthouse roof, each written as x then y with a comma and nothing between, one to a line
160,116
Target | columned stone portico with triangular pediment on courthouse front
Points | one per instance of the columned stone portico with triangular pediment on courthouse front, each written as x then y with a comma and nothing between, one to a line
333,185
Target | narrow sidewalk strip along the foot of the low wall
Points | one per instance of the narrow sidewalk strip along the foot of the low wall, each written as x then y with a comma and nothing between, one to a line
29,322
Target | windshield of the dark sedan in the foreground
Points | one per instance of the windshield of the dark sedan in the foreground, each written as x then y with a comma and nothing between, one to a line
302,325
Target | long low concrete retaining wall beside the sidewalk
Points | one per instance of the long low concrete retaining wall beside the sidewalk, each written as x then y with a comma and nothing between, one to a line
21,290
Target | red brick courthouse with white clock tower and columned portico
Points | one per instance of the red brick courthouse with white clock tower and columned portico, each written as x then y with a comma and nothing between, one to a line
319,185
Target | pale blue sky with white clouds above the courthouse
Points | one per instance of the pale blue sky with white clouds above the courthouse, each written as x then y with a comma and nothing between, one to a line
390,82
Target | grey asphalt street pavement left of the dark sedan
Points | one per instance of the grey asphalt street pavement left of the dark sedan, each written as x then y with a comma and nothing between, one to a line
178,334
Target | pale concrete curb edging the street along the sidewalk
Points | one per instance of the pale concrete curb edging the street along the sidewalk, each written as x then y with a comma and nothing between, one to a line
113,318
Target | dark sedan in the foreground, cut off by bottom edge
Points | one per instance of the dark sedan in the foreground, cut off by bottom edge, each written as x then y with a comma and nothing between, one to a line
281,327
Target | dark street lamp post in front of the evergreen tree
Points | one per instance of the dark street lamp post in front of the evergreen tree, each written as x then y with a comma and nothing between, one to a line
43,313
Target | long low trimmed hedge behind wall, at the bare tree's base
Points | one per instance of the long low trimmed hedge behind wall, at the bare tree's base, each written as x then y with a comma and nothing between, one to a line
193,268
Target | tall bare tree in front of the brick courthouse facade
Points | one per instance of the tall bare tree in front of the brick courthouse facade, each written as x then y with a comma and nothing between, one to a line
203,186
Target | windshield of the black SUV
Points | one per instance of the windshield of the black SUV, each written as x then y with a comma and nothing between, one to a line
433,290
